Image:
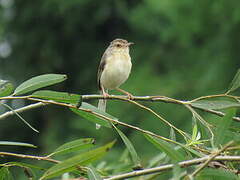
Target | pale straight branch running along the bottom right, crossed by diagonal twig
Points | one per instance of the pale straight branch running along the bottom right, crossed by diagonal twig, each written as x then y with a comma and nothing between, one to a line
170,166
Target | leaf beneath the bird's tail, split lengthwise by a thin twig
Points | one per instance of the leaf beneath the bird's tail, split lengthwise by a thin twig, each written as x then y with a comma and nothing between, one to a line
89,115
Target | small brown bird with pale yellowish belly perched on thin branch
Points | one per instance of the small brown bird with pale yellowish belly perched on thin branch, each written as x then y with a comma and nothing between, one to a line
114,69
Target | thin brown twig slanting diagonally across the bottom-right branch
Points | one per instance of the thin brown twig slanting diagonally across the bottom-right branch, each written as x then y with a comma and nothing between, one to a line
211,157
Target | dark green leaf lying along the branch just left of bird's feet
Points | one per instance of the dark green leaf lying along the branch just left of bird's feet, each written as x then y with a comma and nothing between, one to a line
57,96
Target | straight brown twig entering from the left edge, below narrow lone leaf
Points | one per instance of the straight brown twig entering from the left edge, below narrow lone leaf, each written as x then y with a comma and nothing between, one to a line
44,158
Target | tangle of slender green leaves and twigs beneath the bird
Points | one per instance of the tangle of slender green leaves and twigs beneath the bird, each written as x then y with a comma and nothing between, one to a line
79,155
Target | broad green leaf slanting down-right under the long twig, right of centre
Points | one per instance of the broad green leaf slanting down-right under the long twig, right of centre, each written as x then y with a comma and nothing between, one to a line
166,147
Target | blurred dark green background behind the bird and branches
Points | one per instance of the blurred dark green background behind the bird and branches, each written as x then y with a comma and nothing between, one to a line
183,49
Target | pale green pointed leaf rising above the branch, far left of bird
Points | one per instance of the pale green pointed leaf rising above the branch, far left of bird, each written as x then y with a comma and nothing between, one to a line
39,82
